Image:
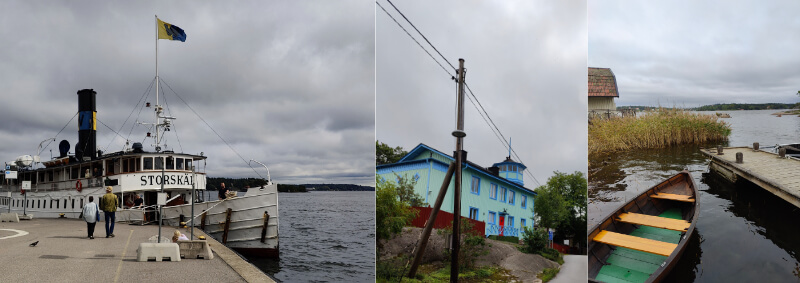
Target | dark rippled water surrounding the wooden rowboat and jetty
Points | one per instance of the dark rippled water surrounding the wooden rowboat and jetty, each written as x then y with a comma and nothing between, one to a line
744,234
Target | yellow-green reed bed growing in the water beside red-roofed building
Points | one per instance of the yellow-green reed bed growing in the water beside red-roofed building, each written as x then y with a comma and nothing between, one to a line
659,128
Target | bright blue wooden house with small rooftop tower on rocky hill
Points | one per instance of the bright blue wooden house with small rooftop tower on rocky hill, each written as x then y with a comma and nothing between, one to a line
496,195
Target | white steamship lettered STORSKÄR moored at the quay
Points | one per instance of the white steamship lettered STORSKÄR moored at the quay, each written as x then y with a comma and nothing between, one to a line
61,186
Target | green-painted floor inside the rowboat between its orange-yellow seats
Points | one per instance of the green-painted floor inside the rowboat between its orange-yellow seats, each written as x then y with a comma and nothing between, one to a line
627,265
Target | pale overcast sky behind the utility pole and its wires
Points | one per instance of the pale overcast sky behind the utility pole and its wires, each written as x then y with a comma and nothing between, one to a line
526,63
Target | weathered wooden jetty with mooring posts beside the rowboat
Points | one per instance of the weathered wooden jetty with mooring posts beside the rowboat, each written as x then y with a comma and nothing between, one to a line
778,175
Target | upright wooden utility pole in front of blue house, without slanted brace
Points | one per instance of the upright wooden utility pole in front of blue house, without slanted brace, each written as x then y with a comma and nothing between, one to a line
459,155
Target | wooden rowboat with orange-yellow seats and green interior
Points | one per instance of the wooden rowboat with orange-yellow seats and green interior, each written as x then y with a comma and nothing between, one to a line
643,239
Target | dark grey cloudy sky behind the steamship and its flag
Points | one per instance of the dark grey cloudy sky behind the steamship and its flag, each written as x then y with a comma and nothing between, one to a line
285,83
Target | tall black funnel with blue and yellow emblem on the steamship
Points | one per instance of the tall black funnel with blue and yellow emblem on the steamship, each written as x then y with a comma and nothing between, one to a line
87,125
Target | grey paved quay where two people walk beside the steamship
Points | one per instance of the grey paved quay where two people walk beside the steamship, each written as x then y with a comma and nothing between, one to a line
64,253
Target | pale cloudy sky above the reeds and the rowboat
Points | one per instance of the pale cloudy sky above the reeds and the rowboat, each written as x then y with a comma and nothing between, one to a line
690,53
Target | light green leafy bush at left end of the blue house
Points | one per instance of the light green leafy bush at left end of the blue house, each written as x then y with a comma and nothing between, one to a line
390,212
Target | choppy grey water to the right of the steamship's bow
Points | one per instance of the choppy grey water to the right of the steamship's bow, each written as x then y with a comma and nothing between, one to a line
324,237
